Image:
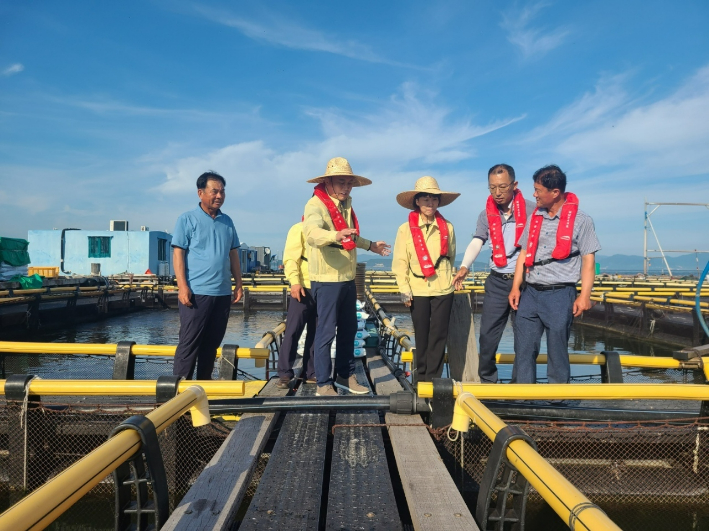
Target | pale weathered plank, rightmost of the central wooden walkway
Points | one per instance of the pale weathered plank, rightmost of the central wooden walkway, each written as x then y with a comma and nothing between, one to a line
434,500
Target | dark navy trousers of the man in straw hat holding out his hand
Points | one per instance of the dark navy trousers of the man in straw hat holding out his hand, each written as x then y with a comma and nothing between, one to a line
335,305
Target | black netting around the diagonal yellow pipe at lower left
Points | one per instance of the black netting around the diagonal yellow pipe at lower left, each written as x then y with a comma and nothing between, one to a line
57,435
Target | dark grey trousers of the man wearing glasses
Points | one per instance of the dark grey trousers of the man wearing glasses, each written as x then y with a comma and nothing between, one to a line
494,317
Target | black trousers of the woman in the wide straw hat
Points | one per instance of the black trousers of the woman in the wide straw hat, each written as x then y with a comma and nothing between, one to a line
430,317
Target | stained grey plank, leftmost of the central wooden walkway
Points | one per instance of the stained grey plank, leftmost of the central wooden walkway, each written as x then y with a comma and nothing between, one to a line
213,500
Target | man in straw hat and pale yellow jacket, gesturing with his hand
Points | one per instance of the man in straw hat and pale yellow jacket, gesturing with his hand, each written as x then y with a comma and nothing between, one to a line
332,231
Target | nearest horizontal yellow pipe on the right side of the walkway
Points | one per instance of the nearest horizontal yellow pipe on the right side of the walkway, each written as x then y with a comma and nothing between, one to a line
628,391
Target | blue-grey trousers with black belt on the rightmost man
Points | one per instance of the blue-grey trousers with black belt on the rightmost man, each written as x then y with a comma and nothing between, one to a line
543,311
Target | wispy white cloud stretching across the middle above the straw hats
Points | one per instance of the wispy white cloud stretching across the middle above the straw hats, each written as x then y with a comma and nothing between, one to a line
404,131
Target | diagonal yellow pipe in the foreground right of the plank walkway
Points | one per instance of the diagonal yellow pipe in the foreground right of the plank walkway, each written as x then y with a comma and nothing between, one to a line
556,490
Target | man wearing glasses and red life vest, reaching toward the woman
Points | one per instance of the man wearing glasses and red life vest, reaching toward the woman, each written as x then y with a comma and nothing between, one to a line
502,222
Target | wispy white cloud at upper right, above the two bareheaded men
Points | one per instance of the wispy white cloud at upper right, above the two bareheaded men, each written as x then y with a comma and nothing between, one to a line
608,128
